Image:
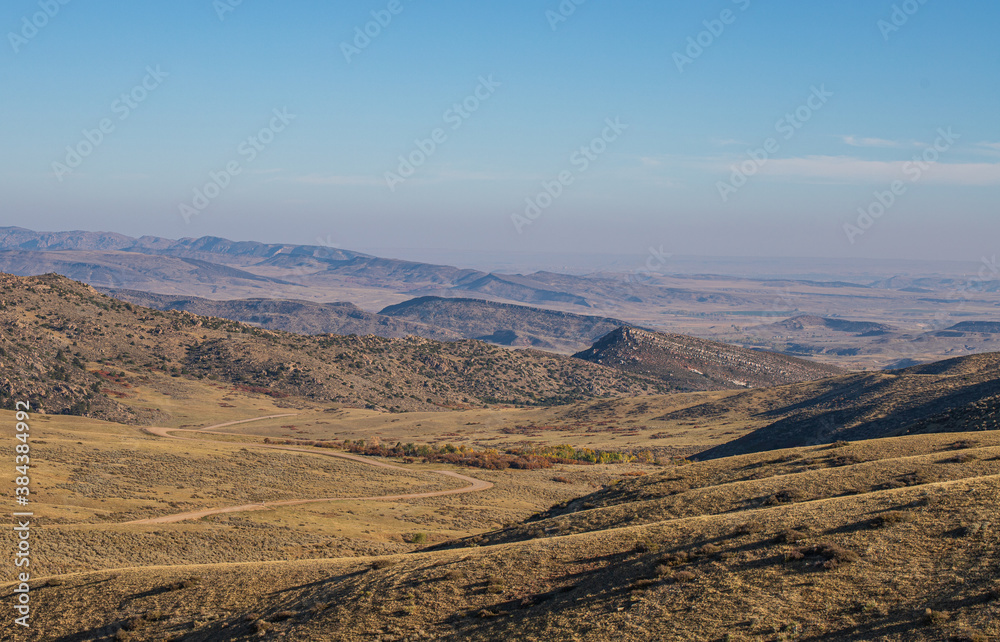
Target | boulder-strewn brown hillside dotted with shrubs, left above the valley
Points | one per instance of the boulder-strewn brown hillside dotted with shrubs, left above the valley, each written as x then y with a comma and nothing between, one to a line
69,346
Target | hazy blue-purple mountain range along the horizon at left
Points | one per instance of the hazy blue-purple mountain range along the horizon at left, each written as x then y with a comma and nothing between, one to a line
219,268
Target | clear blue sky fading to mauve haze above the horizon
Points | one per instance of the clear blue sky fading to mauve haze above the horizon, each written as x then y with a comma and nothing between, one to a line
855,129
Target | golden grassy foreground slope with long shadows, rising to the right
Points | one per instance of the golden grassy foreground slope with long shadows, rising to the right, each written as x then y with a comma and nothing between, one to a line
889,540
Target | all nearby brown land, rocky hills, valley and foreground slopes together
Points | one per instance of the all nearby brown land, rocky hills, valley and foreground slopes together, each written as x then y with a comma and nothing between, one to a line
194,478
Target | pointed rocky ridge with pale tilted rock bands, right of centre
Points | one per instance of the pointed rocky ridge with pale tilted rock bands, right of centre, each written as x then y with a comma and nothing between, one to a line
689,363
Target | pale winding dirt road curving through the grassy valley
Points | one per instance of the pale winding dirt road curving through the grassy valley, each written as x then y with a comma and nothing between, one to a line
475,485
